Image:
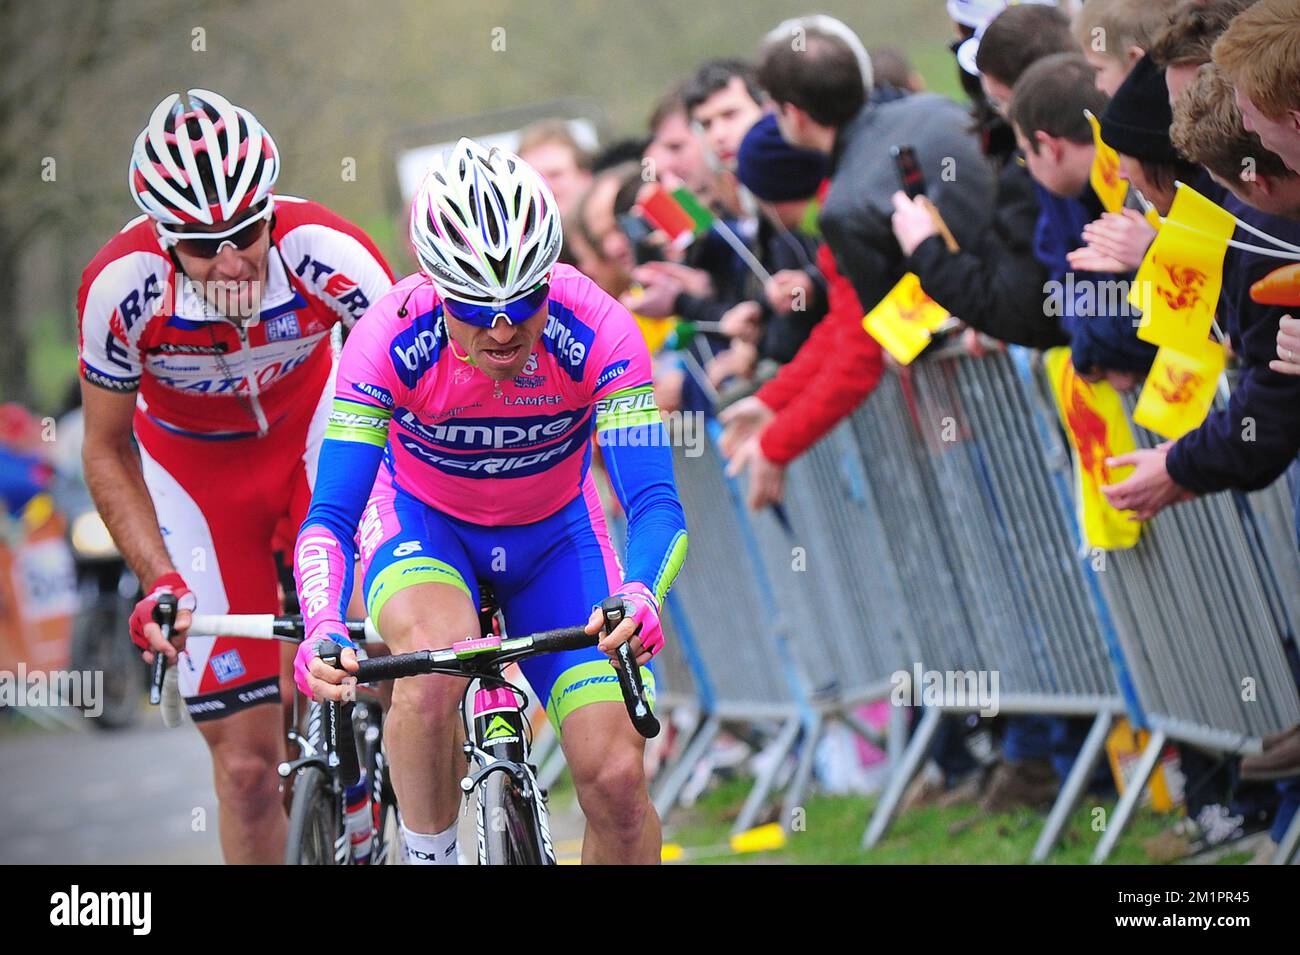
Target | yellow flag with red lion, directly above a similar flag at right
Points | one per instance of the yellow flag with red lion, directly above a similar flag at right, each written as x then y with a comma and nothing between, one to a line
1180,281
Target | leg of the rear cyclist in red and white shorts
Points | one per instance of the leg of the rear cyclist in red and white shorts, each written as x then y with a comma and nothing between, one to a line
228,683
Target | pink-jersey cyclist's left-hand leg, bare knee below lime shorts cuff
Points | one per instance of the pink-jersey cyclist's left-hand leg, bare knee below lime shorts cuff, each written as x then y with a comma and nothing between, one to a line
418,589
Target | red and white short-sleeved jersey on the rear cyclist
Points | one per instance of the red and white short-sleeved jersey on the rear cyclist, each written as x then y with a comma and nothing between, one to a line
201,375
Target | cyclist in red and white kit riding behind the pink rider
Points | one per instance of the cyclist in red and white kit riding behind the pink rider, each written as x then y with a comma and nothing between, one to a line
206,336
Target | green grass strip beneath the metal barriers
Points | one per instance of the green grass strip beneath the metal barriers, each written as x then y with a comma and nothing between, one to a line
834,828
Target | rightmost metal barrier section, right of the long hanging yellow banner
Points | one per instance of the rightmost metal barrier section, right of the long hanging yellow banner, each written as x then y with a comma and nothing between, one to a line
1202,606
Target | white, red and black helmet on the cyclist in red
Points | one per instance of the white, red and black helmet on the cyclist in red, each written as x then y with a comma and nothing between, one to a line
202,160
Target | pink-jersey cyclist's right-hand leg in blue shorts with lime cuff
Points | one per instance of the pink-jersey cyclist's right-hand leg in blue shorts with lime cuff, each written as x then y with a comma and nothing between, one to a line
577,571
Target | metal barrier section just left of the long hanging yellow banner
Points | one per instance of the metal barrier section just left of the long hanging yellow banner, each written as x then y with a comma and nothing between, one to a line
978,513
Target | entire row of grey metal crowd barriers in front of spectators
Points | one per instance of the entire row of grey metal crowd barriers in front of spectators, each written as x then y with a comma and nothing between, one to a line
935,529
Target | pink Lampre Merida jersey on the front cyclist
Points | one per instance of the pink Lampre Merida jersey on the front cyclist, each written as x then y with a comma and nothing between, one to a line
458,445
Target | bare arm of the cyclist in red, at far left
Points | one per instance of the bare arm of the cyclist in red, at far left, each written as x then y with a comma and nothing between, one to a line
118,484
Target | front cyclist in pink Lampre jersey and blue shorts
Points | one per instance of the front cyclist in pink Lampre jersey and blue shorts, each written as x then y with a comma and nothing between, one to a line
470,398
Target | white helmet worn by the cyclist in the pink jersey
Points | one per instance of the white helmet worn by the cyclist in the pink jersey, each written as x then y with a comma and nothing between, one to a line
484,225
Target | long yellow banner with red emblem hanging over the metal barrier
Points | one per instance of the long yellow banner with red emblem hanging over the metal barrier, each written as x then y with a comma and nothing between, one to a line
1095,422
